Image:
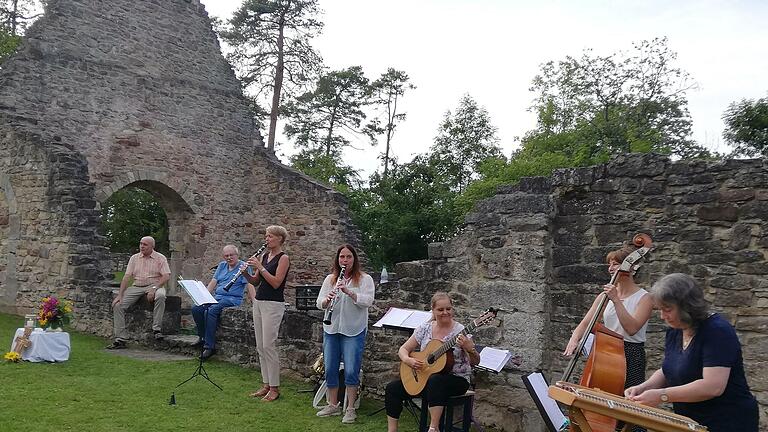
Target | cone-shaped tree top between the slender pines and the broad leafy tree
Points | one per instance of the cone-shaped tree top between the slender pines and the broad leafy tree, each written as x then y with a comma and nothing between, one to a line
465,140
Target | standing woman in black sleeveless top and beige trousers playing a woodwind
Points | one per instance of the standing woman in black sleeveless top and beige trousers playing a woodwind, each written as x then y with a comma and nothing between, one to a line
269,307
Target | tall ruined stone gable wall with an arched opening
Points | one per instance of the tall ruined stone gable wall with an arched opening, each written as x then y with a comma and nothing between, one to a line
104,95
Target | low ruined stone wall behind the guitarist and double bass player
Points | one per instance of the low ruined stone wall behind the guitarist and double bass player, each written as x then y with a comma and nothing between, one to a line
537,250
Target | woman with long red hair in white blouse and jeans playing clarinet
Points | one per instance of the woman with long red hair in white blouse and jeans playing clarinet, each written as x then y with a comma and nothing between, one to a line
349,295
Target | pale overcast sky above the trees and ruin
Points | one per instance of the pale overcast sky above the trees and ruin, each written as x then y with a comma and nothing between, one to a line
492,49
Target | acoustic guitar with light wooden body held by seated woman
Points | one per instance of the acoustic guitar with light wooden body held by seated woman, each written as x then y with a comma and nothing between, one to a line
437,356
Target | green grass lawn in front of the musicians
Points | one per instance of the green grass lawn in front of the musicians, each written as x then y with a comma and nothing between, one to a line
98,391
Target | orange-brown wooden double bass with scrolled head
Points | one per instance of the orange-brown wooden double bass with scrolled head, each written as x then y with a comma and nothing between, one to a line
606,366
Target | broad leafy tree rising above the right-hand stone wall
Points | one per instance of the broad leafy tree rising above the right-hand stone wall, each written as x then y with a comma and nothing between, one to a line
620,103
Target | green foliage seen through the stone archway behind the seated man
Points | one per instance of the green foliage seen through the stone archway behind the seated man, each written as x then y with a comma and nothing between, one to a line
130,214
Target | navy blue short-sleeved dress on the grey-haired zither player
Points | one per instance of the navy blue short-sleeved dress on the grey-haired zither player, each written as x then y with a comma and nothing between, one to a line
715,344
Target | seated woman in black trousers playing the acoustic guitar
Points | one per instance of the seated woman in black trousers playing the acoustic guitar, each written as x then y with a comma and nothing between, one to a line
440,386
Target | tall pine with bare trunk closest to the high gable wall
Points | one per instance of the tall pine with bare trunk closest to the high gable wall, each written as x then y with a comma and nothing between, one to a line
271,41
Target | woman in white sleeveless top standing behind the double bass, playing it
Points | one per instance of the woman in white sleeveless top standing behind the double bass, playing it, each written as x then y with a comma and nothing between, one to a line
627,313
